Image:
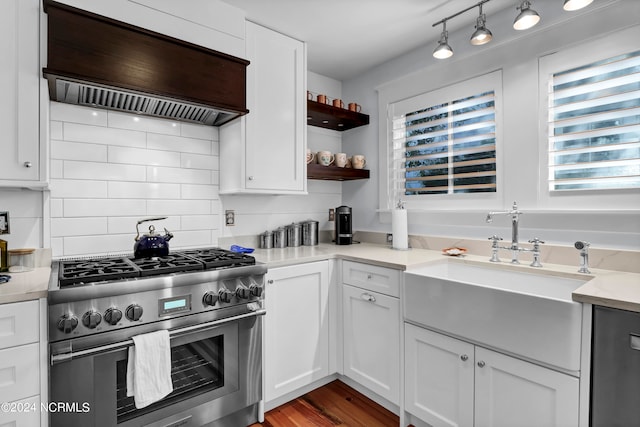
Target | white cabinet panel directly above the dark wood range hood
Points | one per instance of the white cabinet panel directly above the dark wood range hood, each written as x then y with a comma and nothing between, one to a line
213,24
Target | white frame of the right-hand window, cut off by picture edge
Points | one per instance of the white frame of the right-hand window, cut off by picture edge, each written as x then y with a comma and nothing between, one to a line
595,50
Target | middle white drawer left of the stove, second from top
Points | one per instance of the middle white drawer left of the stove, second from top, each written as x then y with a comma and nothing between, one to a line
19,372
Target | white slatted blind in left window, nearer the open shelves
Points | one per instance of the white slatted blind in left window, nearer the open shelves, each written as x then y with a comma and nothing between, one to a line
446,148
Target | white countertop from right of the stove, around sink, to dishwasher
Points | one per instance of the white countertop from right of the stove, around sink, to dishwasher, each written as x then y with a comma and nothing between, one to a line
615,289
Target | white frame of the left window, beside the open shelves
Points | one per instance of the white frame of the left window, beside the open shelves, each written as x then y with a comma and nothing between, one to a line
437,202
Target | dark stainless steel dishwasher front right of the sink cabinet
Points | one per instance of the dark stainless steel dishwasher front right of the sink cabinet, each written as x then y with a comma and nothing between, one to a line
615,375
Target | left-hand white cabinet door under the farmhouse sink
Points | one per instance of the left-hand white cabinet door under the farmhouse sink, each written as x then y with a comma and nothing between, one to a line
439,378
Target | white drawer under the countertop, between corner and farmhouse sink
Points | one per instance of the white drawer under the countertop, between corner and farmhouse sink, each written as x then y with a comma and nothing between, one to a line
372,277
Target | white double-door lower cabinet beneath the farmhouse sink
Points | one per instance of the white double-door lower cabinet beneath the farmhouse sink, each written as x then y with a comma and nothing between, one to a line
449,382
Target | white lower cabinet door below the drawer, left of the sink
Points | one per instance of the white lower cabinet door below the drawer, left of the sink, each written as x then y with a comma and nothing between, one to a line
371,327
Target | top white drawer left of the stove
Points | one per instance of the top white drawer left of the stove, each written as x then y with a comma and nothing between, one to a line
18,323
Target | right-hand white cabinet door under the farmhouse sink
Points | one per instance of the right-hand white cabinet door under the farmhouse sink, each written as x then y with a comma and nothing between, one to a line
514,393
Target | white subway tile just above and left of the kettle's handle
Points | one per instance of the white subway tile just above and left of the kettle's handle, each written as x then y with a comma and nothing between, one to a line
104,207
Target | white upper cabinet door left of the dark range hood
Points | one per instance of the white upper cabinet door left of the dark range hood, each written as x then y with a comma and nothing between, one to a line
19,85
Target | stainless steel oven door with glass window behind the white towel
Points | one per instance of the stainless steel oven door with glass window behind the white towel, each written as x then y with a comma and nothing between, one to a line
216,373
